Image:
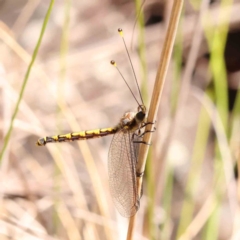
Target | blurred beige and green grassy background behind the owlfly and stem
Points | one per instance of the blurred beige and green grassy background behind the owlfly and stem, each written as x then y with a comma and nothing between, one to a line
61,191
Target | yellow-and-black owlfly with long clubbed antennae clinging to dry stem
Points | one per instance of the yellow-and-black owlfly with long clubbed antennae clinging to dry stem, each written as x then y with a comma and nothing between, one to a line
123,153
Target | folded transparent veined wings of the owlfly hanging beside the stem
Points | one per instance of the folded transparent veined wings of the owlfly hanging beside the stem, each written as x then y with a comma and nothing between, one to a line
122,173
